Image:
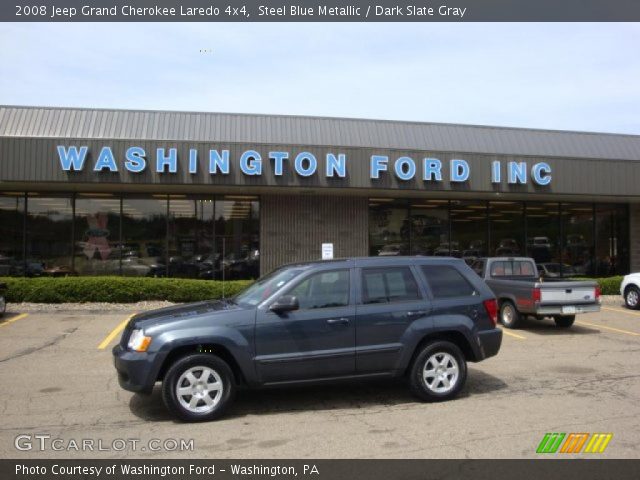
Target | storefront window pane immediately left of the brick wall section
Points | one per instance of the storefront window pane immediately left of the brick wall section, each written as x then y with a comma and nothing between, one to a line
237,237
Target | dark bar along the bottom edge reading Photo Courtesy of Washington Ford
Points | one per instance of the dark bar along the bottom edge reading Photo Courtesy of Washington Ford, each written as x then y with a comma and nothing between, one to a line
319,469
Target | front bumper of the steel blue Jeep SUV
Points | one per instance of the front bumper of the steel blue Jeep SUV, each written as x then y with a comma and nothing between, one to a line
136,371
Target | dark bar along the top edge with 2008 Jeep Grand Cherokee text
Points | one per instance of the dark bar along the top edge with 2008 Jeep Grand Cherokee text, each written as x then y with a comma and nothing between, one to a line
320,11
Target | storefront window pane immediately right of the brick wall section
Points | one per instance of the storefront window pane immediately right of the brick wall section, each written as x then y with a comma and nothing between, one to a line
388,227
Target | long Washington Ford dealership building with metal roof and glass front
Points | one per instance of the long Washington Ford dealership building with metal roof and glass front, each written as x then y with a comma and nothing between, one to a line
199,195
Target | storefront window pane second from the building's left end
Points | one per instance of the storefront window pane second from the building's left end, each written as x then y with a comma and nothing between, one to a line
49,236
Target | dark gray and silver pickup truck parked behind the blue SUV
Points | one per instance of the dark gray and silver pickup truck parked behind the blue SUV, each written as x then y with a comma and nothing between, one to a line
521,292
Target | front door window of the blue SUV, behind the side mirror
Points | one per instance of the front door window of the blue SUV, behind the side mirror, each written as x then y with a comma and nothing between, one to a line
323,290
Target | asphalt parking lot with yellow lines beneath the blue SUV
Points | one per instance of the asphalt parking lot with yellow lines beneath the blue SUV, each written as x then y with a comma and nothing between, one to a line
57,382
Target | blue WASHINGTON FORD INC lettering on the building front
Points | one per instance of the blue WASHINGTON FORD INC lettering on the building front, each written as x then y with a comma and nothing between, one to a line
304,164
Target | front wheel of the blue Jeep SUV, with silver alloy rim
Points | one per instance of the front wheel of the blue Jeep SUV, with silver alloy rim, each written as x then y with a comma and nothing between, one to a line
218,373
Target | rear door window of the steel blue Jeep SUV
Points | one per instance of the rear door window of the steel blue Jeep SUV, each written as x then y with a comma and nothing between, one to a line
390,284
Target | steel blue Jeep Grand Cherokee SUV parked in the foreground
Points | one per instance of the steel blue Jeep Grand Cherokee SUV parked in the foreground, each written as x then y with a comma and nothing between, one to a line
422,318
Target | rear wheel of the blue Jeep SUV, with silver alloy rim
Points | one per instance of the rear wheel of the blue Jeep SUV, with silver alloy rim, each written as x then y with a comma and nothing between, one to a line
425,385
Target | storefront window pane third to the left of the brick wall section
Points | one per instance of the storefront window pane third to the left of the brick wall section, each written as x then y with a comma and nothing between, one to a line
144,235
